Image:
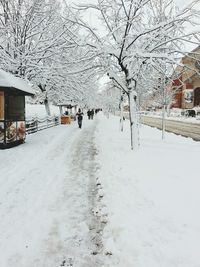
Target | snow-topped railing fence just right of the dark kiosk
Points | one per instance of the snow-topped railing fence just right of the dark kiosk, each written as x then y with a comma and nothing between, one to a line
37,124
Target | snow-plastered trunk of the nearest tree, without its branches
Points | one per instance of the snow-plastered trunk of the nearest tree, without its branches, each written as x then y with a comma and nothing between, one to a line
133,118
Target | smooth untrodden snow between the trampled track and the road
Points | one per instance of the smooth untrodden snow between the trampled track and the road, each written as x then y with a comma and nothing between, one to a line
151,197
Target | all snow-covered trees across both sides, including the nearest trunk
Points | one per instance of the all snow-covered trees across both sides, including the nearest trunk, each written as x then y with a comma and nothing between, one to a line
50,44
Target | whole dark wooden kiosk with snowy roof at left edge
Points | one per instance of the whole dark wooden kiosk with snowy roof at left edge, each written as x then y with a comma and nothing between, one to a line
12,109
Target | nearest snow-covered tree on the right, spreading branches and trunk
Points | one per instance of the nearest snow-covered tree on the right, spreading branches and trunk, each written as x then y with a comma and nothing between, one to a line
143,43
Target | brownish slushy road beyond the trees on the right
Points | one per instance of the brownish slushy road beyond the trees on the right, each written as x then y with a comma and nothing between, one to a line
178,127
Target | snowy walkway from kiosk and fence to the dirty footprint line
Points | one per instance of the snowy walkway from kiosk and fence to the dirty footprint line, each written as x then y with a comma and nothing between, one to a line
47,195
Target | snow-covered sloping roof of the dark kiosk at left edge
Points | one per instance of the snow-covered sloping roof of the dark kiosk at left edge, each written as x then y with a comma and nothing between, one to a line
8,80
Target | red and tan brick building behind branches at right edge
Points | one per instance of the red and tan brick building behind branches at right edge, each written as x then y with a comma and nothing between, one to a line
187,84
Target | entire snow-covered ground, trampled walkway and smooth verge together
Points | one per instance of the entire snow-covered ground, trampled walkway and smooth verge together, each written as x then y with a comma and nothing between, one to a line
82,198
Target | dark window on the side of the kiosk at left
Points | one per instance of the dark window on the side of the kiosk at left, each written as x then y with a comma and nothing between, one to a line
16,108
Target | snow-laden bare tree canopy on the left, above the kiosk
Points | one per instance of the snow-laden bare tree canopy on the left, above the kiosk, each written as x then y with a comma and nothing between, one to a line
38,44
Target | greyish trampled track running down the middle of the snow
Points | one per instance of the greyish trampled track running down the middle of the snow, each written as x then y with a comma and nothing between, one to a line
85,246
